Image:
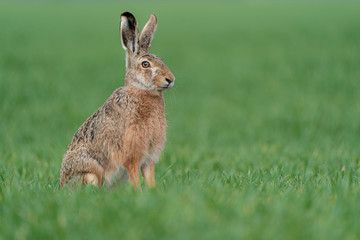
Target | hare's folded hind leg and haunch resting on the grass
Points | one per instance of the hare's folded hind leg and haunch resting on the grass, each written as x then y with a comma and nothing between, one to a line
81,165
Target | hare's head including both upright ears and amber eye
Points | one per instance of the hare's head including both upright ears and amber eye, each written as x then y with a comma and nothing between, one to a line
143,70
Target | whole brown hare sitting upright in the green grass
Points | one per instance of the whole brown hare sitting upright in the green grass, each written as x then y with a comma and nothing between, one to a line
129,130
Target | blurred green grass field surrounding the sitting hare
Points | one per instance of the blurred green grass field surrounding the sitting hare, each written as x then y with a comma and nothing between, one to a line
264,129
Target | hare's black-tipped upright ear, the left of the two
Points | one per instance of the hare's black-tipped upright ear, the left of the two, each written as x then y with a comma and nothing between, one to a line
129,32
